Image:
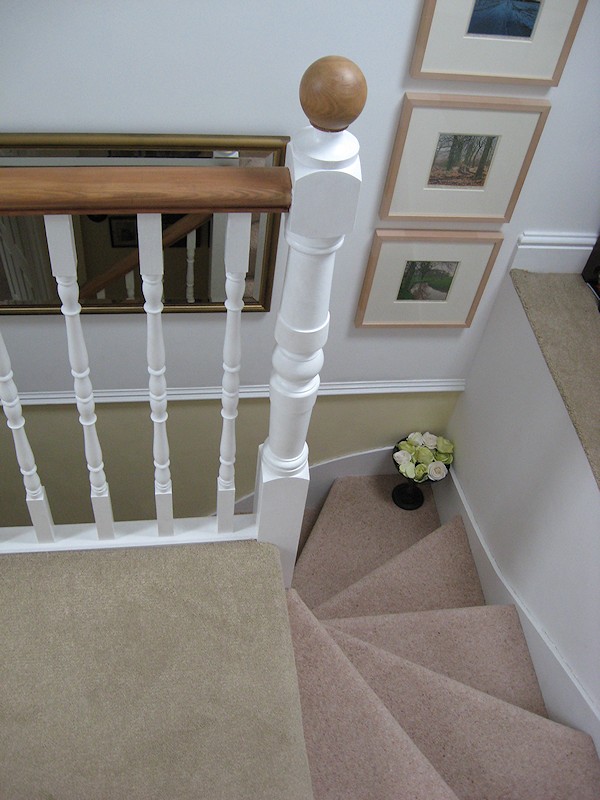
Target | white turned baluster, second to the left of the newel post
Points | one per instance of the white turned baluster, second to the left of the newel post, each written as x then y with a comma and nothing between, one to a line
152,269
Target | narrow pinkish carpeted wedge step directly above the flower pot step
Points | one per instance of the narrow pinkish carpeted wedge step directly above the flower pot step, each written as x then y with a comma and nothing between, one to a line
436,572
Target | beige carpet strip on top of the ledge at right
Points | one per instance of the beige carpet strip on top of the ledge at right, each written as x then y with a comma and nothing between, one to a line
563,314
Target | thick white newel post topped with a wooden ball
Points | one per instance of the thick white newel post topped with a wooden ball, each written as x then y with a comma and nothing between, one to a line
326,181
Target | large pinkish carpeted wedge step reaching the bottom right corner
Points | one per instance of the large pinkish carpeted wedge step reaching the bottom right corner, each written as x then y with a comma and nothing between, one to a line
483,747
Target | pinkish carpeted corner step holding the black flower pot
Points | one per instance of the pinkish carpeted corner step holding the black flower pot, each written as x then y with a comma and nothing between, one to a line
359,528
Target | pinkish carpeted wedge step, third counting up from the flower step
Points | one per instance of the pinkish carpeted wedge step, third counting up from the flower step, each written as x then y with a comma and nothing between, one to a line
482,646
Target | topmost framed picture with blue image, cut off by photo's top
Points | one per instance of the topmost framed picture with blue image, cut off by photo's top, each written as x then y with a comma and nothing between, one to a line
513,41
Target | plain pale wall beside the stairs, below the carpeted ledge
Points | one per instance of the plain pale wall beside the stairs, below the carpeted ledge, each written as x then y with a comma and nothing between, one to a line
535,500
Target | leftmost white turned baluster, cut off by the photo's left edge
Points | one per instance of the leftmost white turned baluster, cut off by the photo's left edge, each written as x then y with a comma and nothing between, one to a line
39,510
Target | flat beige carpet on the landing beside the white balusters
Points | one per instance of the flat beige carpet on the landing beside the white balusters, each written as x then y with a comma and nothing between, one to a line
148,674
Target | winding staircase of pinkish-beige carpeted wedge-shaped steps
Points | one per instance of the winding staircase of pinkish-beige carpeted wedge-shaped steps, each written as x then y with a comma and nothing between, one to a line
410,686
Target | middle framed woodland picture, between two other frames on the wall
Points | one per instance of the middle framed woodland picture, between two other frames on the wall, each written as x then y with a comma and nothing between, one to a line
461,158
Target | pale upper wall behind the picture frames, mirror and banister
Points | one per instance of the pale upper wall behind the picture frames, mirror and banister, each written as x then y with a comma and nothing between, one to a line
234,67
